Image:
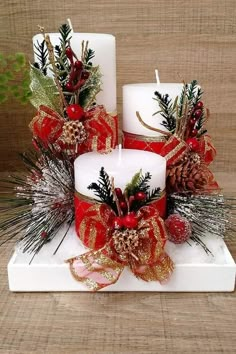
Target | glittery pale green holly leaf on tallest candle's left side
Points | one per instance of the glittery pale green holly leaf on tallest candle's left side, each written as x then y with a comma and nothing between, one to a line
44,91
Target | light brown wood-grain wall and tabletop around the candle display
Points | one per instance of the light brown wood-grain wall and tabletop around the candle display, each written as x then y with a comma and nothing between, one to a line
185,40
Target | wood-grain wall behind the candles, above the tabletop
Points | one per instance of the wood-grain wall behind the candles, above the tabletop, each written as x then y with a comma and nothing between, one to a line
184,39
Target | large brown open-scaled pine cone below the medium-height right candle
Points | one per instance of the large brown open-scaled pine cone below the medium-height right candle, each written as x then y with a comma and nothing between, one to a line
190,174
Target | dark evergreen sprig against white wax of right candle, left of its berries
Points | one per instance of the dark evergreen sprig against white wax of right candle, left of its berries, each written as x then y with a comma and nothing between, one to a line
167,111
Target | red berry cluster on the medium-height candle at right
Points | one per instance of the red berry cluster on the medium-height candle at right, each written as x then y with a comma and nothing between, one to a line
197,113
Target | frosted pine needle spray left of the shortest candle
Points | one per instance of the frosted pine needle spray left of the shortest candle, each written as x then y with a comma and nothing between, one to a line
36,203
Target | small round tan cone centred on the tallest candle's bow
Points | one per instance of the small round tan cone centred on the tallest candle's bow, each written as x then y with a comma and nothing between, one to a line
73,132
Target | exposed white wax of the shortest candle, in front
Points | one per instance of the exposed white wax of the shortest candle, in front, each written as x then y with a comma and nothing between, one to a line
122,165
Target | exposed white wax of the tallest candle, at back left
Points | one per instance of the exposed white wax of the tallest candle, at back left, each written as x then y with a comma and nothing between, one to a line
105,56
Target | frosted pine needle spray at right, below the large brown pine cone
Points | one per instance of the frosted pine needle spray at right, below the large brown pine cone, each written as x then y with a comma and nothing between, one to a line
208,213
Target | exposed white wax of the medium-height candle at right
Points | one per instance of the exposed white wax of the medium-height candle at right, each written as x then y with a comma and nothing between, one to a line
139,97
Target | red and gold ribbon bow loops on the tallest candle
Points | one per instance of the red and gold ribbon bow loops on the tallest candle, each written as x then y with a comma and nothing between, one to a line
101,129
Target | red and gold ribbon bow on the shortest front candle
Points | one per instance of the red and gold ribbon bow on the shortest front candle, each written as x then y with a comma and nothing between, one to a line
104,263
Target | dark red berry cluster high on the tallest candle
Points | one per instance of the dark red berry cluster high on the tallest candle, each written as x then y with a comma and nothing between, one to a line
78,74
